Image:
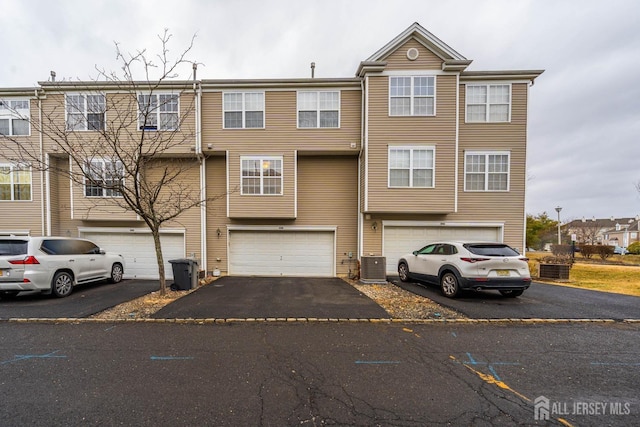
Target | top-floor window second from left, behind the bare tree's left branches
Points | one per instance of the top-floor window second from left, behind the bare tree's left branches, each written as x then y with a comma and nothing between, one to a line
85,112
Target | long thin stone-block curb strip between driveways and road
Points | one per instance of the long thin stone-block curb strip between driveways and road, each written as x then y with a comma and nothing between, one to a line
273,320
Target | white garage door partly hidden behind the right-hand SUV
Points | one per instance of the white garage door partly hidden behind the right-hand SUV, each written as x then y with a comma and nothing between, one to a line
399,240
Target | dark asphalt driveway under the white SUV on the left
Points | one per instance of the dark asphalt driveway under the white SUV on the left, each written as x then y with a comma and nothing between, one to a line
84,301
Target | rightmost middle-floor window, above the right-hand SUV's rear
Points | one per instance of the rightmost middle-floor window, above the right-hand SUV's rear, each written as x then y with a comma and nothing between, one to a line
486,171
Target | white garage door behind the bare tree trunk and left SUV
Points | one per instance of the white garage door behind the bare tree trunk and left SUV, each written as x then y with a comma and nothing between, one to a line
139,251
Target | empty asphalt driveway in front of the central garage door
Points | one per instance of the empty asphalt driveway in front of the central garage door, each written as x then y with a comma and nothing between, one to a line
279,297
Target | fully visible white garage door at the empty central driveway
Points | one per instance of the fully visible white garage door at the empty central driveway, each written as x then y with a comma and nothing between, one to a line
281,253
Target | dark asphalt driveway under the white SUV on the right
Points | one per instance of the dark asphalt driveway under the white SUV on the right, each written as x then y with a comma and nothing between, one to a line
540,301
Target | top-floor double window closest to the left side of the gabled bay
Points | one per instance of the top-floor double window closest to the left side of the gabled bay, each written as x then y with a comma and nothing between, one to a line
318,109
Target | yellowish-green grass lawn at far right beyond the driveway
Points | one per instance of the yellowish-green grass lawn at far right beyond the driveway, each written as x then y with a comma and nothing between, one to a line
623,277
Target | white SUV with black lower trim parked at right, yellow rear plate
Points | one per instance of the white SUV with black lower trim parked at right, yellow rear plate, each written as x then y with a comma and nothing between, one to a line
456,266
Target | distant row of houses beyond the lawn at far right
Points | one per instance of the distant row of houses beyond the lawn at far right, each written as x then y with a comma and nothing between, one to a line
609,231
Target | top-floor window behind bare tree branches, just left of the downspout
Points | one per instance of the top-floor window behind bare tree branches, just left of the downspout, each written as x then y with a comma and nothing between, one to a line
158,111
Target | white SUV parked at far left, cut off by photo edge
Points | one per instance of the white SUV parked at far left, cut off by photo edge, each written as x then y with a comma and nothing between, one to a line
53,265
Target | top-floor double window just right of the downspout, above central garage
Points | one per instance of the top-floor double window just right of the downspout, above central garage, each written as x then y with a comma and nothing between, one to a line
243,110
